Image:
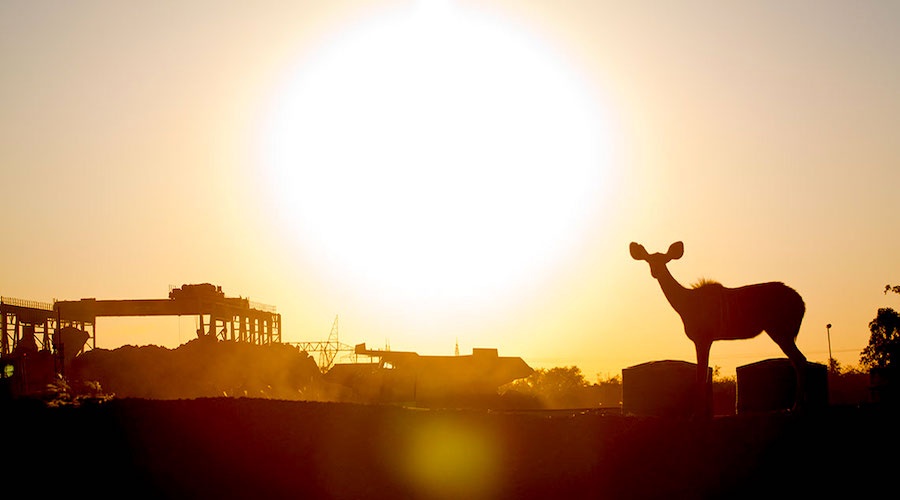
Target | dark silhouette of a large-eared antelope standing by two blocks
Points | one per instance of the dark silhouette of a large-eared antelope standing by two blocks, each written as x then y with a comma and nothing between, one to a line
712,312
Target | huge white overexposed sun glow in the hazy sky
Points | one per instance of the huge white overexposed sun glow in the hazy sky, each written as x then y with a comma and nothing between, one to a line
436,155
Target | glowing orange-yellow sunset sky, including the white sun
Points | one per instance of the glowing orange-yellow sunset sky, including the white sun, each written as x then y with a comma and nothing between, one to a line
434,171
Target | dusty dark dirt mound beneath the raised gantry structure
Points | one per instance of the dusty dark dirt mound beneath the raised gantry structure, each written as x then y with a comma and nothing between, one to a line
200,368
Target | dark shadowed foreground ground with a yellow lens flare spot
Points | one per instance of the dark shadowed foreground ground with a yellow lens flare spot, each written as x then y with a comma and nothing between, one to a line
250,448
